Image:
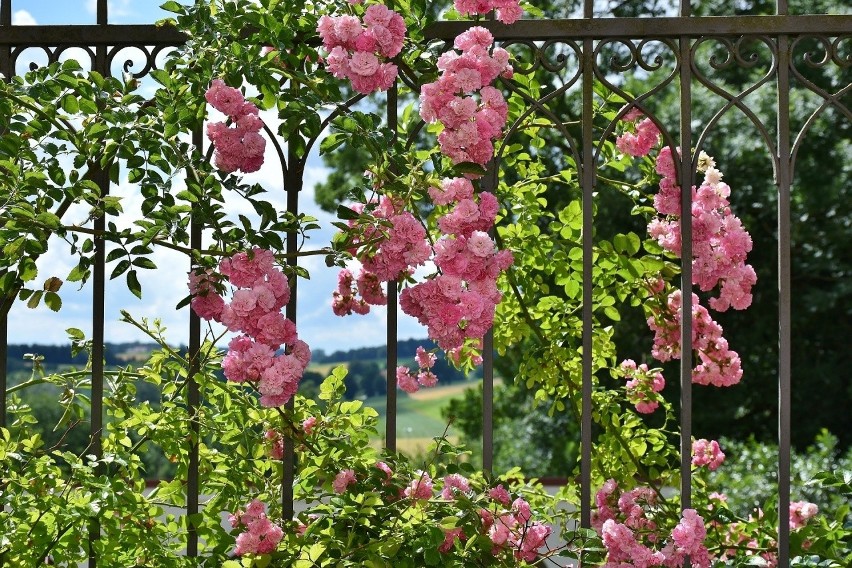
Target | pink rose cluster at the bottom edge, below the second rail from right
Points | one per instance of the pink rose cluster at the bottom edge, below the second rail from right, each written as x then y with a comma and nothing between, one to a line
633,538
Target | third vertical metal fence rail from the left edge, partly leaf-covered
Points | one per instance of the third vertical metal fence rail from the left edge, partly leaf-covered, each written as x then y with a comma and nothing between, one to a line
193,396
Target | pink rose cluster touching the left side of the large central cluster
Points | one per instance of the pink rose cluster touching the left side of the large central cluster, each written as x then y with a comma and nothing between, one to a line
393,247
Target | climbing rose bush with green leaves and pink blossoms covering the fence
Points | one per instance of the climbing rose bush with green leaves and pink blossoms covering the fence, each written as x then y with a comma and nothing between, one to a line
468,253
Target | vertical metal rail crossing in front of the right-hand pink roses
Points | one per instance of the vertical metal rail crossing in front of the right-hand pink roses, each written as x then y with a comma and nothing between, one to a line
686,176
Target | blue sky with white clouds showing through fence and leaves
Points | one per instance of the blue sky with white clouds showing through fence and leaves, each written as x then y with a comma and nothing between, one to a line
164,288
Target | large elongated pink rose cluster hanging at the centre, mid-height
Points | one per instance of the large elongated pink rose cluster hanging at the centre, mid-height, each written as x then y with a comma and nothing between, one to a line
459,303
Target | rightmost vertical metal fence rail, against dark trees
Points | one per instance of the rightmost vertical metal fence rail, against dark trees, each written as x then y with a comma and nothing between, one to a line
784,181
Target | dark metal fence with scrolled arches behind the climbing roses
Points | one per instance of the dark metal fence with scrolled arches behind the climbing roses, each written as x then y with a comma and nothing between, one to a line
572,48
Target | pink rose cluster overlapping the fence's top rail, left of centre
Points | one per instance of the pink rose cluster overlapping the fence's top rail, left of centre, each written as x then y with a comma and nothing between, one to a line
359,51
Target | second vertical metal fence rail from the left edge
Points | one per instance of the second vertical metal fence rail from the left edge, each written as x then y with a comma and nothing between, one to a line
101,178
